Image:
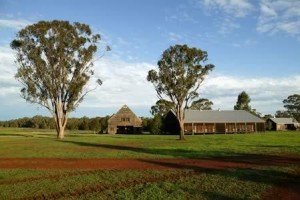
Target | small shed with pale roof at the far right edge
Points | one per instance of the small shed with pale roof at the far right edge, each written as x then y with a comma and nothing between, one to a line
282,124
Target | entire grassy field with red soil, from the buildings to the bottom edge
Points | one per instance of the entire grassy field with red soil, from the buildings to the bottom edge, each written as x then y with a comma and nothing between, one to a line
237,166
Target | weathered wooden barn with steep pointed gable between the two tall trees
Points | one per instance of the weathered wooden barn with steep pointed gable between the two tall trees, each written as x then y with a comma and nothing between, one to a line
124,122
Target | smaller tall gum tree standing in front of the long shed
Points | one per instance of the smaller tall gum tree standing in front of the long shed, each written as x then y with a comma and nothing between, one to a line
181,70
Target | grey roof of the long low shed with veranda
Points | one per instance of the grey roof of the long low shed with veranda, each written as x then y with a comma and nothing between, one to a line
211,116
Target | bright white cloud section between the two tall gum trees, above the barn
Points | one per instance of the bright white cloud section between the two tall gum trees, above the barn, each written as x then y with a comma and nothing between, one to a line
123,83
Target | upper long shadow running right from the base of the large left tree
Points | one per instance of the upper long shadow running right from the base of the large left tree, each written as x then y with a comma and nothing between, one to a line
246,158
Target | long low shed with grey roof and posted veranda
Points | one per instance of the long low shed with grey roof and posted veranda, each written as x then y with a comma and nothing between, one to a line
208,121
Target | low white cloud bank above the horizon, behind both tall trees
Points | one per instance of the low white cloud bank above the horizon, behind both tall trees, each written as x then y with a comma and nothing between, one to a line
125,83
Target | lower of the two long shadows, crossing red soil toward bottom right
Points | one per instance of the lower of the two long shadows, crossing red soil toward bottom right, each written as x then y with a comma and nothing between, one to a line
287,182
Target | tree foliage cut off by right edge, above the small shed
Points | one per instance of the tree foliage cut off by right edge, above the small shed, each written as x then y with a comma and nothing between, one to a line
292,104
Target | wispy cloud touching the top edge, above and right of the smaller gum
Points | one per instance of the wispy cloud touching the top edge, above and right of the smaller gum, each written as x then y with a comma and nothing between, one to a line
236,8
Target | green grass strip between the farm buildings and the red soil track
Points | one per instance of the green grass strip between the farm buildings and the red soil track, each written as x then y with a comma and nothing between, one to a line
20,143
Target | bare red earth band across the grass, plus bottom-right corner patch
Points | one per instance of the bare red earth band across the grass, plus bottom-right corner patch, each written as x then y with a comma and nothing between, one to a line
284,191
